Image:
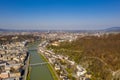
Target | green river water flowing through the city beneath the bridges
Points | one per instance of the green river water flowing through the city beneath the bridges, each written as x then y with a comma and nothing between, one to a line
38,72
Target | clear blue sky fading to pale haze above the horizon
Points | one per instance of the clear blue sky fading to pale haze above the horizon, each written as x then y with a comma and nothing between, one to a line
59,14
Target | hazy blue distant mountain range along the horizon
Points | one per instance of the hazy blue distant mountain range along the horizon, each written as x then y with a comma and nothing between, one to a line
112,29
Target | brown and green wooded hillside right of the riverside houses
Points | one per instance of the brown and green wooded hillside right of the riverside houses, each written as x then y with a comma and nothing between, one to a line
99,55
